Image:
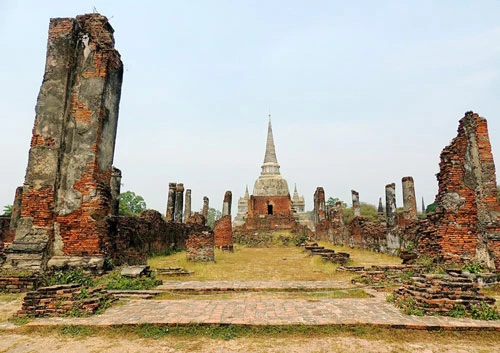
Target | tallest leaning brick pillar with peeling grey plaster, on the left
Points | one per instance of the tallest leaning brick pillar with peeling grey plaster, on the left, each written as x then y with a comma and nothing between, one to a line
66,191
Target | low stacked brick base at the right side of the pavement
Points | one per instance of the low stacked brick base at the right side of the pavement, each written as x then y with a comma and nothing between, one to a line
439,294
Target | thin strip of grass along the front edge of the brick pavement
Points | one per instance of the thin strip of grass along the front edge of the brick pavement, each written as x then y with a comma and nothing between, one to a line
226,332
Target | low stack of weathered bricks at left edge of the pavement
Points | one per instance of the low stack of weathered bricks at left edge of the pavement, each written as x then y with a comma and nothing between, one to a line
63,300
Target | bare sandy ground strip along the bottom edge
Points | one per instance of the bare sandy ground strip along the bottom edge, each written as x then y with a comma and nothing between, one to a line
56,343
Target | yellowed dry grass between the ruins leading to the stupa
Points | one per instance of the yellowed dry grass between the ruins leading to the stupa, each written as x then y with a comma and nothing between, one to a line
283,263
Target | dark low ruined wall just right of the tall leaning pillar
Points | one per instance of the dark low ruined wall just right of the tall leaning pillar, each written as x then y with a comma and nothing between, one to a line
134,237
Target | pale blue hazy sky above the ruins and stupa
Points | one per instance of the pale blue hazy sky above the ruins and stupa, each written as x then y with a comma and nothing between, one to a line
361,93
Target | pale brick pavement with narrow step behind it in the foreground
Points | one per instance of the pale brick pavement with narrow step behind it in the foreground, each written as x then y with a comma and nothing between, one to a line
260,310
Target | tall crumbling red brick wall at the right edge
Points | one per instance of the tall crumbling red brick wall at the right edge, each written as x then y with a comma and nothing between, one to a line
464,227
